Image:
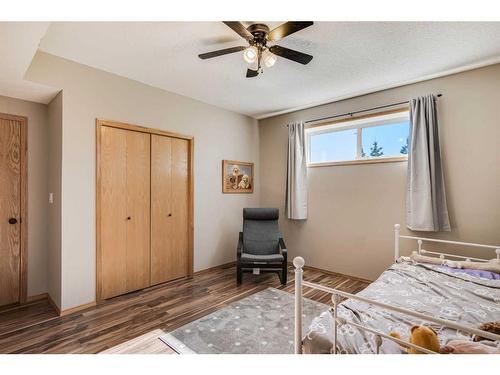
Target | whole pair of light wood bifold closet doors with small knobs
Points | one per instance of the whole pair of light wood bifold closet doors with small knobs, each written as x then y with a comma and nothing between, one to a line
144,209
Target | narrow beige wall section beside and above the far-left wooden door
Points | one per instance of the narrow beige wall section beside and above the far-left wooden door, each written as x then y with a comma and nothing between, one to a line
37,188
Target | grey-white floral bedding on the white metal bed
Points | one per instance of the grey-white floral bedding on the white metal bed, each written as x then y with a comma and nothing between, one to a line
428,289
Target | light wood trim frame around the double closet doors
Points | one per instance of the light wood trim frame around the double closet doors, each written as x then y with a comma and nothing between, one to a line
138,128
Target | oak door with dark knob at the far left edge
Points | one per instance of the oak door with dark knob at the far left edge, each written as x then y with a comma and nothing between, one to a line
10,211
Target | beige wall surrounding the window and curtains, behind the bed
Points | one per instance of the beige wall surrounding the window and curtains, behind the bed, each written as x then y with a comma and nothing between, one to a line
352,209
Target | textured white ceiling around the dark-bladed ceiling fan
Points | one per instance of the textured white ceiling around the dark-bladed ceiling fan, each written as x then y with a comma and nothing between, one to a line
349,58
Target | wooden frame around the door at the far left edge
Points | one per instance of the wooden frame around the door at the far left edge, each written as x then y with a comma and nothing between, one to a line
23,205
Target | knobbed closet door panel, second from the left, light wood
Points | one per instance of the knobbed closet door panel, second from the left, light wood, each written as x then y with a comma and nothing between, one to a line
138,210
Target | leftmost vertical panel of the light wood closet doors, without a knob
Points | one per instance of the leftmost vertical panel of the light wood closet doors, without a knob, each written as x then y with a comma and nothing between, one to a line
113,211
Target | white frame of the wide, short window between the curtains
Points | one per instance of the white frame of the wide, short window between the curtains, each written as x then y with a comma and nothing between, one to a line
359,123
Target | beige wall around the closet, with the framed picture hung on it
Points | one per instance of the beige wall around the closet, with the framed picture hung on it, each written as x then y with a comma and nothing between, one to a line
219,134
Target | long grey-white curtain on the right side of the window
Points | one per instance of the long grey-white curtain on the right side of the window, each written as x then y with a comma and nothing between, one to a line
426,208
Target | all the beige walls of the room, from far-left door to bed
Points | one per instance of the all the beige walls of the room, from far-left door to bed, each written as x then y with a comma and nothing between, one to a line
352,208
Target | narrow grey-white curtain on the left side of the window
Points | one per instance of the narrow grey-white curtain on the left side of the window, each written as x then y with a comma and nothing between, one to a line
296,180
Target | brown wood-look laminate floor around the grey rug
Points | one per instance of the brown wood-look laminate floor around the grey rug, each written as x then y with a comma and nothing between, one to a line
132,323
